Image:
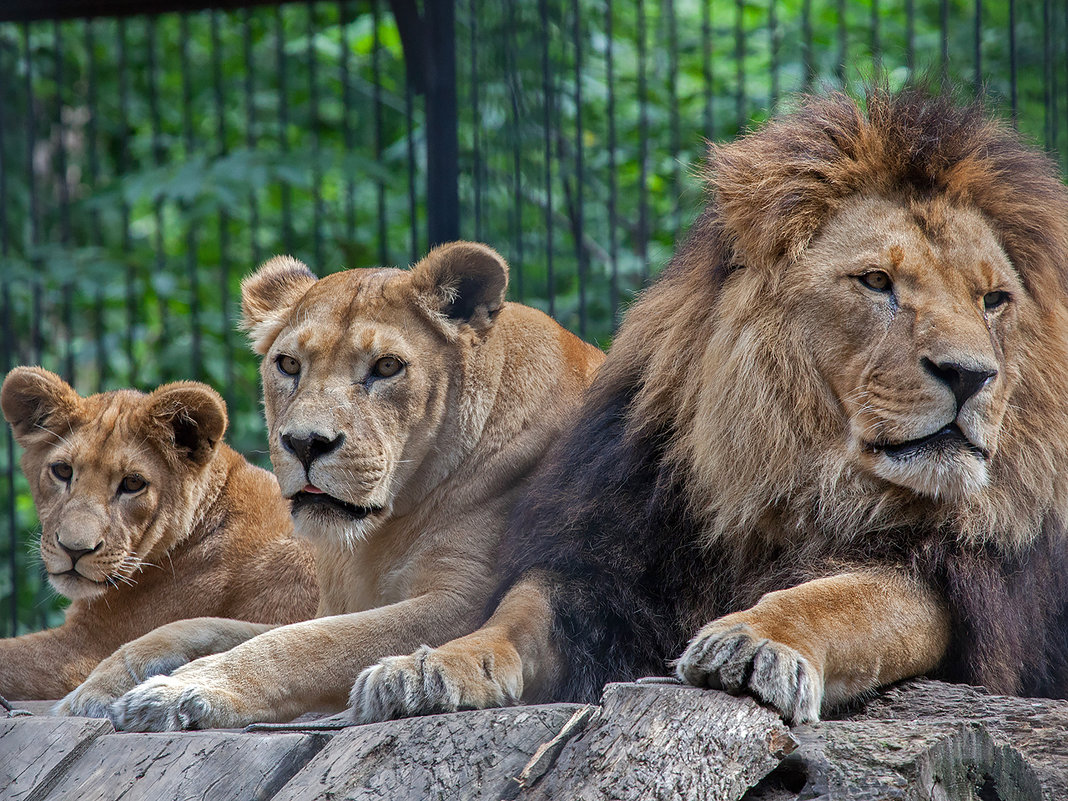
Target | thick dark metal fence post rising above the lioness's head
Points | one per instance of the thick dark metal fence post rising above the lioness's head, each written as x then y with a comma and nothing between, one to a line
430,48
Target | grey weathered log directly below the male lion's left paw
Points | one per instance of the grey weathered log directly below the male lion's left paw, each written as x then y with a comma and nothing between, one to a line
463,756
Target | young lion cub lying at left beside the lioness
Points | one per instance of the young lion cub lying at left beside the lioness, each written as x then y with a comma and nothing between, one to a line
147,517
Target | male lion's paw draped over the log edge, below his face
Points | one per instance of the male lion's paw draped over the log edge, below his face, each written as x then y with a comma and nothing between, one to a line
734,658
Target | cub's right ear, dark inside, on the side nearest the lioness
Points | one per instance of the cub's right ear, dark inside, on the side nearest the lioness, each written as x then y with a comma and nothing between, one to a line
190,416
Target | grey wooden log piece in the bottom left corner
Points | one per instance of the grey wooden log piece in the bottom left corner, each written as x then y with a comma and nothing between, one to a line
36,752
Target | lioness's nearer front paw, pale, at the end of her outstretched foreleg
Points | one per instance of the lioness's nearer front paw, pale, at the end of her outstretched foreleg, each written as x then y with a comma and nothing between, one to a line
171,704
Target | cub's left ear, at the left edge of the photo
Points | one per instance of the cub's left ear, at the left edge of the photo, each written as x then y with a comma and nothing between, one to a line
36,401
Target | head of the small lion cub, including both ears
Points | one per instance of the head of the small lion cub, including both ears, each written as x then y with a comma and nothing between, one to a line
109,473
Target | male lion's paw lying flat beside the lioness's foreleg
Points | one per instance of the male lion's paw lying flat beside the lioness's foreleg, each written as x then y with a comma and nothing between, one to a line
433,681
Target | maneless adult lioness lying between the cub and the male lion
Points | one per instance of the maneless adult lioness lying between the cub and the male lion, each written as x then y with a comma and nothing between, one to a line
405,412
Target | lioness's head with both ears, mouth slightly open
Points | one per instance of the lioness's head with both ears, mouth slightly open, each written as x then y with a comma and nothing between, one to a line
362,373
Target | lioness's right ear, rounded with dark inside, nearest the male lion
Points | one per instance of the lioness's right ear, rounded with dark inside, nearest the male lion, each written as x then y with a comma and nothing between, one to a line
463,281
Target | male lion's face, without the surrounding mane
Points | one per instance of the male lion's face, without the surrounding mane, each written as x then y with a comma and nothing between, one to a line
914,315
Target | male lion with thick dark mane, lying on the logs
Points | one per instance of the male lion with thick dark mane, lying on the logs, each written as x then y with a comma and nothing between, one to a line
837,428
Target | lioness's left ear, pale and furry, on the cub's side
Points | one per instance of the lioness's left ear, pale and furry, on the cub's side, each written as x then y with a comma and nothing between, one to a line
268,296
